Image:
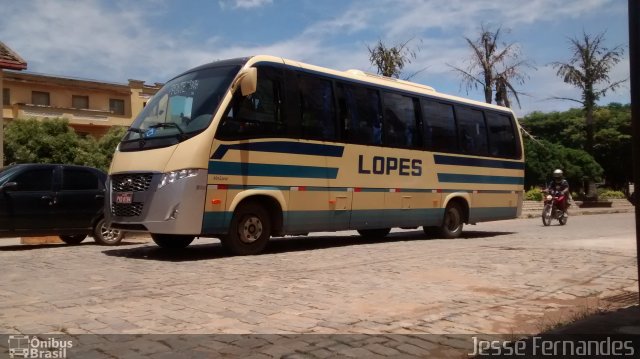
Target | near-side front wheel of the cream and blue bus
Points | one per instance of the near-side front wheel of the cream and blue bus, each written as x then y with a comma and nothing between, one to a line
249,231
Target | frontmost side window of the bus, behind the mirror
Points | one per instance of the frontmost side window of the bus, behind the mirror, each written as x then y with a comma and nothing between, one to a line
257,115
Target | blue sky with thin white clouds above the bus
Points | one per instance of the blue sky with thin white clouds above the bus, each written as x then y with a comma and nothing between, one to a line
154,40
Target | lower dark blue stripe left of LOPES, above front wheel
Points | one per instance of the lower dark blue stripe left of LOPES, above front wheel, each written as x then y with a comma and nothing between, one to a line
270,170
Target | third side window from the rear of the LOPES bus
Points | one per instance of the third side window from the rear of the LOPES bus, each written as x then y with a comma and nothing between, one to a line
439,126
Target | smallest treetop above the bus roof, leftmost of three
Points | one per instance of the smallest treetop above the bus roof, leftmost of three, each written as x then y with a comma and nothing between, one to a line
390,61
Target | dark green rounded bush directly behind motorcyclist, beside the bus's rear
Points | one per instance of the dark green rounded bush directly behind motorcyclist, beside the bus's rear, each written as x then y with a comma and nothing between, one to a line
543,157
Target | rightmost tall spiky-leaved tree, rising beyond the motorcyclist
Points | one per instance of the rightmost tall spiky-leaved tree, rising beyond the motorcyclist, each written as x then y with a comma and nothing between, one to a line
588,67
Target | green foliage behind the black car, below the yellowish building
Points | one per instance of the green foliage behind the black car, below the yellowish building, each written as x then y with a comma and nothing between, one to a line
54,141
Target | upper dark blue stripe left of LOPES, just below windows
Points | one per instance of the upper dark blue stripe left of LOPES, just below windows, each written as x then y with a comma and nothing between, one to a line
298,148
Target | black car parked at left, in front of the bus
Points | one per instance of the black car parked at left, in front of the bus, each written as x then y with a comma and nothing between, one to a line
52,199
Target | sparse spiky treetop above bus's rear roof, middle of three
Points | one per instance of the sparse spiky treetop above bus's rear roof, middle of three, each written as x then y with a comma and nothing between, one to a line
493,65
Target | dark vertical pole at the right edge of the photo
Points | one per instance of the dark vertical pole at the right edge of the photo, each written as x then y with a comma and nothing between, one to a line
634,64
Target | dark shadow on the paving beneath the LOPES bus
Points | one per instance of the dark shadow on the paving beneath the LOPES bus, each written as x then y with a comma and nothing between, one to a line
278,245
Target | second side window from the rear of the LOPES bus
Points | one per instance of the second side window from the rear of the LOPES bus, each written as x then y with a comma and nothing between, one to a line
472,131
